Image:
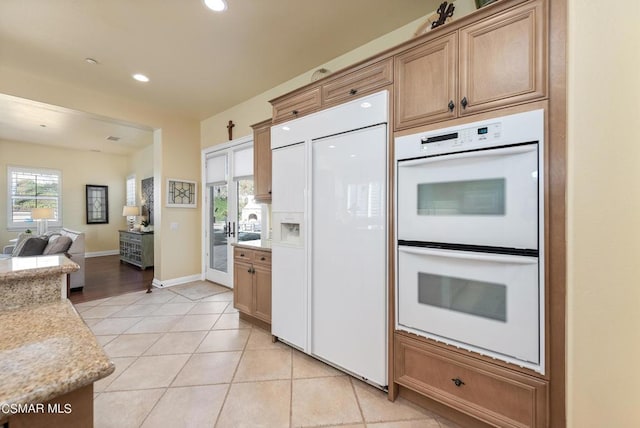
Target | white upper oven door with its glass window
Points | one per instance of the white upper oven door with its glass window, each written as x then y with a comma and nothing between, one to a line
485,198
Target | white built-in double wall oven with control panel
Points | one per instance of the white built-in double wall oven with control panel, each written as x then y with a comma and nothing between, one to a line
470,237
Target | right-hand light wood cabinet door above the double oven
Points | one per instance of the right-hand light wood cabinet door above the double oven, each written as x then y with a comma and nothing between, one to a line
503,59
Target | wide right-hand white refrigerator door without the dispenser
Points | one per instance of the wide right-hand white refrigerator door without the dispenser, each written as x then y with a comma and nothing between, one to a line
348,252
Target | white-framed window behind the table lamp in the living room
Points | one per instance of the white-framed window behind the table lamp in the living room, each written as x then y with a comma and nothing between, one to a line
29,188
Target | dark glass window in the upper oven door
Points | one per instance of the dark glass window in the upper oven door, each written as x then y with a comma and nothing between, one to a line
473,197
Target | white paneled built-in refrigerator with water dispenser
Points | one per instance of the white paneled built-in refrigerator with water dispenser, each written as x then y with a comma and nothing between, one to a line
330,286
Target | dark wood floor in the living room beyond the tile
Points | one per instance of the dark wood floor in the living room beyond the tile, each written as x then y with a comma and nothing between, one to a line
107,277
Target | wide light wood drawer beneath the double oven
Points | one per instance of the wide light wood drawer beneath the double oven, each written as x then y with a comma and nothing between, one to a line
490,393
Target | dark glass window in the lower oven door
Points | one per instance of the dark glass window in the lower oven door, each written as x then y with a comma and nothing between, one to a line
484,299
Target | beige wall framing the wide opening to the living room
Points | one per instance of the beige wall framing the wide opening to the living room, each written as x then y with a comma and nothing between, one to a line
176,155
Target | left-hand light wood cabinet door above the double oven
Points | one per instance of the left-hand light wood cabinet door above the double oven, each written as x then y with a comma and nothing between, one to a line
425,83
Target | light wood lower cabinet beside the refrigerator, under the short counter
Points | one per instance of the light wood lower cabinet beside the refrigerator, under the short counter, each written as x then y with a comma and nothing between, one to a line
252,283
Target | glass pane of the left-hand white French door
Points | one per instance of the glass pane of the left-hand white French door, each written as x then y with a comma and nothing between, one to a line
218,227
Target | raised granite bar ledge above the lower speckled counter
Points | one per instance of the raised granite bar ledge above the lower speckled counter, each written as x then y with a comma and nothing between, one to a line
35,266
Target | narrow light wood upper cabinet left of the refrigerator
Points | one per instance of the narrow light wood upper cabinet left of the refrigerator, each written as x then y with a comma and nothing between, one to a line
262,161
